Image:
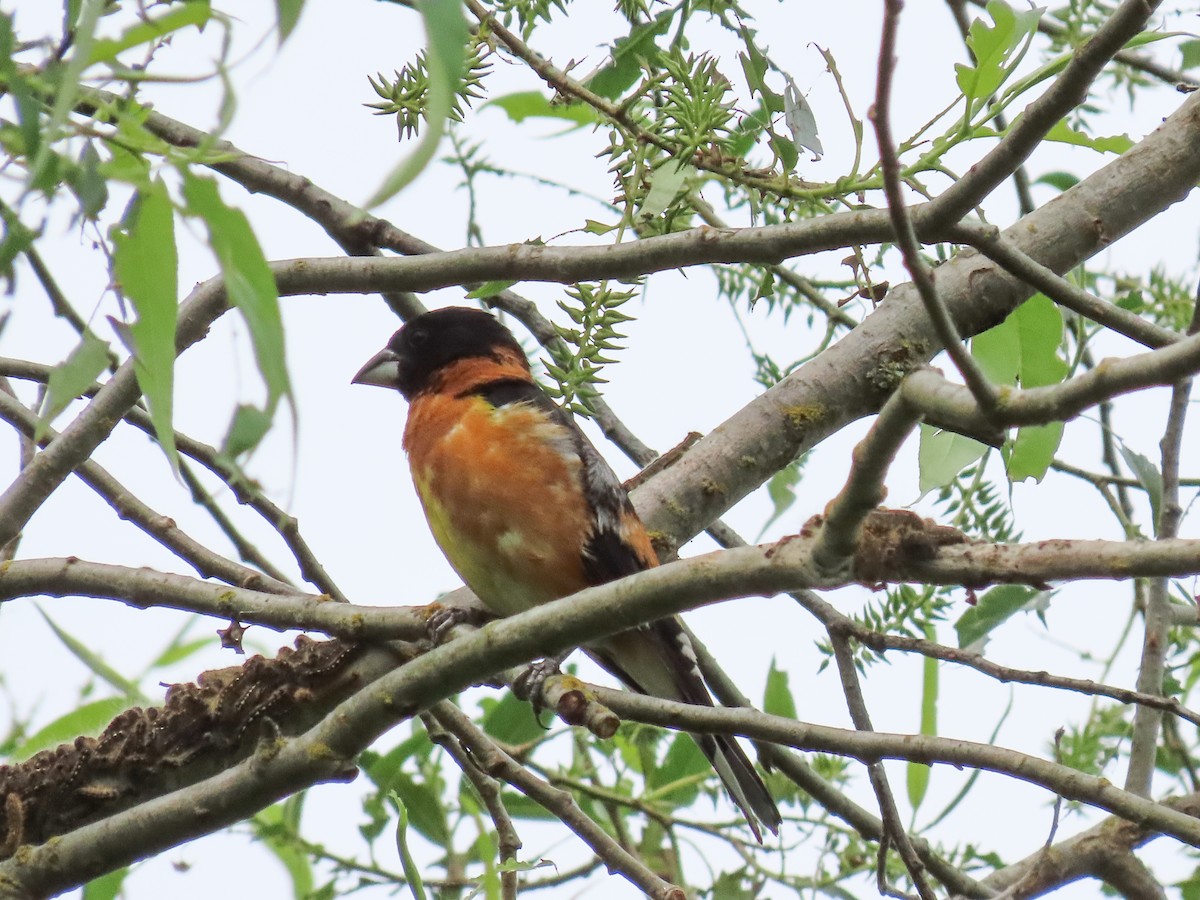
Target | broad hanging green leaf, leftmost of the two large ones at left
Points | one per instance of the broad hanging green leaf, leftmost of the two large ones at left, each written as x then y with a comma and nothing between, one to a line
147,268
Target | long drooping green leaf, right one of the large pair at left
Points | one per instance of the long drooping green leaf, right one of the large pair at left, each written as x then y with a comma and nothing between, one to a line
249,283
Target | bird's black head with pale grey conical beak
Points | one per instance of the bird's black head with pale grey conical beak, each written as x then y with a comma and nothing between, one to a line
435,340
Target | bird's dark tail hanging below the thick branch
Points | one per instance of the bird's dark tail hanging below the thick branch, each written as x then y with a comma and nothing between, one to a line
659,661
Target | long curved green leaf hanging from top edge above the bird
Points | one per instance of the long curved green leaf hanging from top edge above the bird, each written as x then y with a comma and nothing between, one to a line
446,28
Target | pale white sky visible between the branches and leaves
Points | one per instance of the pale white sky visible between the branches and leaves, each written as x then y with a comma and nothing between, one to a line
302,110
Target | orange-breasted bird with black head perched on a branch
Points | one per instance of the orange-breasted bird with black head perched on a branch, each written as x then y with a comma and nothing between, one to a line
527,511
